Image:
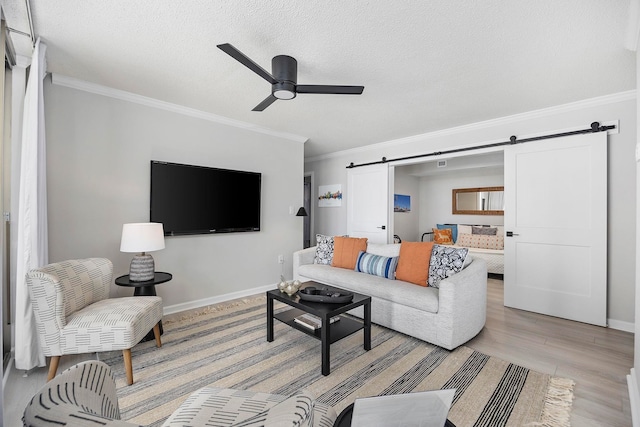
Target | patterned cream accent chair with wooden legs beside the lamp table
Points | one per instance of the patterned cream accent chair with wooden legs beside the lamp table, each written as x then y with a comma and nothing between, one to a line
75,315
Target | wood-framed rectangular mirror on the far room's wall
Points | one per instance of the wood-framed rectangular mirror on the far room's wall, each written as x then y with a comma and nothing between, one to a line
478,201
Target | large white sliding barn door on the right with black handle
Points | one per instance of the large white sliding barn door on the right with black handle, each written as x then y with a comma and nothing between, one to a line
556,208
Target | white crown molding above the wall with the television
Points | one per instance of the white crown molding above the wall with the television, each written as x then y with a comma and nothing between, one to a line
97,89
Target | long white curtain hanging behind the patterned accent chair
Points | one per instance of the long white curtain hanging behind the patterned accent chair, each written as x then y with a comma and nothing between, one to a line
32,212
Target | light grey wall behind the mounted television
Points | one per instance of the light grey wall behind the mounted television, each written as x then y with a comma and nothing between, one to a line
98,154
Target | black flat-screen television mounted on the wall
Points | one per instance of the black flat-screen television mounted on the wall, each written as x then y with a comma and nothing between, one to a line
189,199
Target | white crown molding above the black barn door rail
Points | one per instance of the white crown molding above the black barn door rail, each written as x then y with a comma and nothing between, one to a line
545,112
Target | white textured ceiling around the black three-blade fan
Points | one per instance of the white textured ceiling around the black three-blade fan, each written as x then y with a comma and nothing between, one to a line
425,65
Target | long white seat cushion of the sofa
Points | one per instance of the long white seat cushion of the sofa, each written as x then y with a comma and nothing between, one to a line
397,291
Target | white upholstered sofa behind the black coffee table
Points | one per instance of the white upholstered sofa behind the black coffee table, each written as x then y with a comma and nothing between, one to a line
447,317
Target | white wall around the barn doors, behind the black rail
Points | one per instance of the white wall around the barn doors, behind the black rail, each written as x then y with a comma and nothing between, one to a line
331,169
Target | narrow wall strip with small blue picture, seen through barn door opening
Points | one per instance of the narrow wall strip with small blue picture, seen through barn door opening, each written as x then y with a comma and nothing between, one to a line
407,224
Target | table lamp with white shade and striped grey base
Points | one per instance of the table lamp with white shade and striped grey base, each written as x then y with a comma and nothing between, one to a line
141,238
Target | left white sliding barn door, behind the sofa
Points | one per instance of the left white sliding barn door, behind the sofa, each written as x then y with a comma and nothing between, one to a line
368,202
